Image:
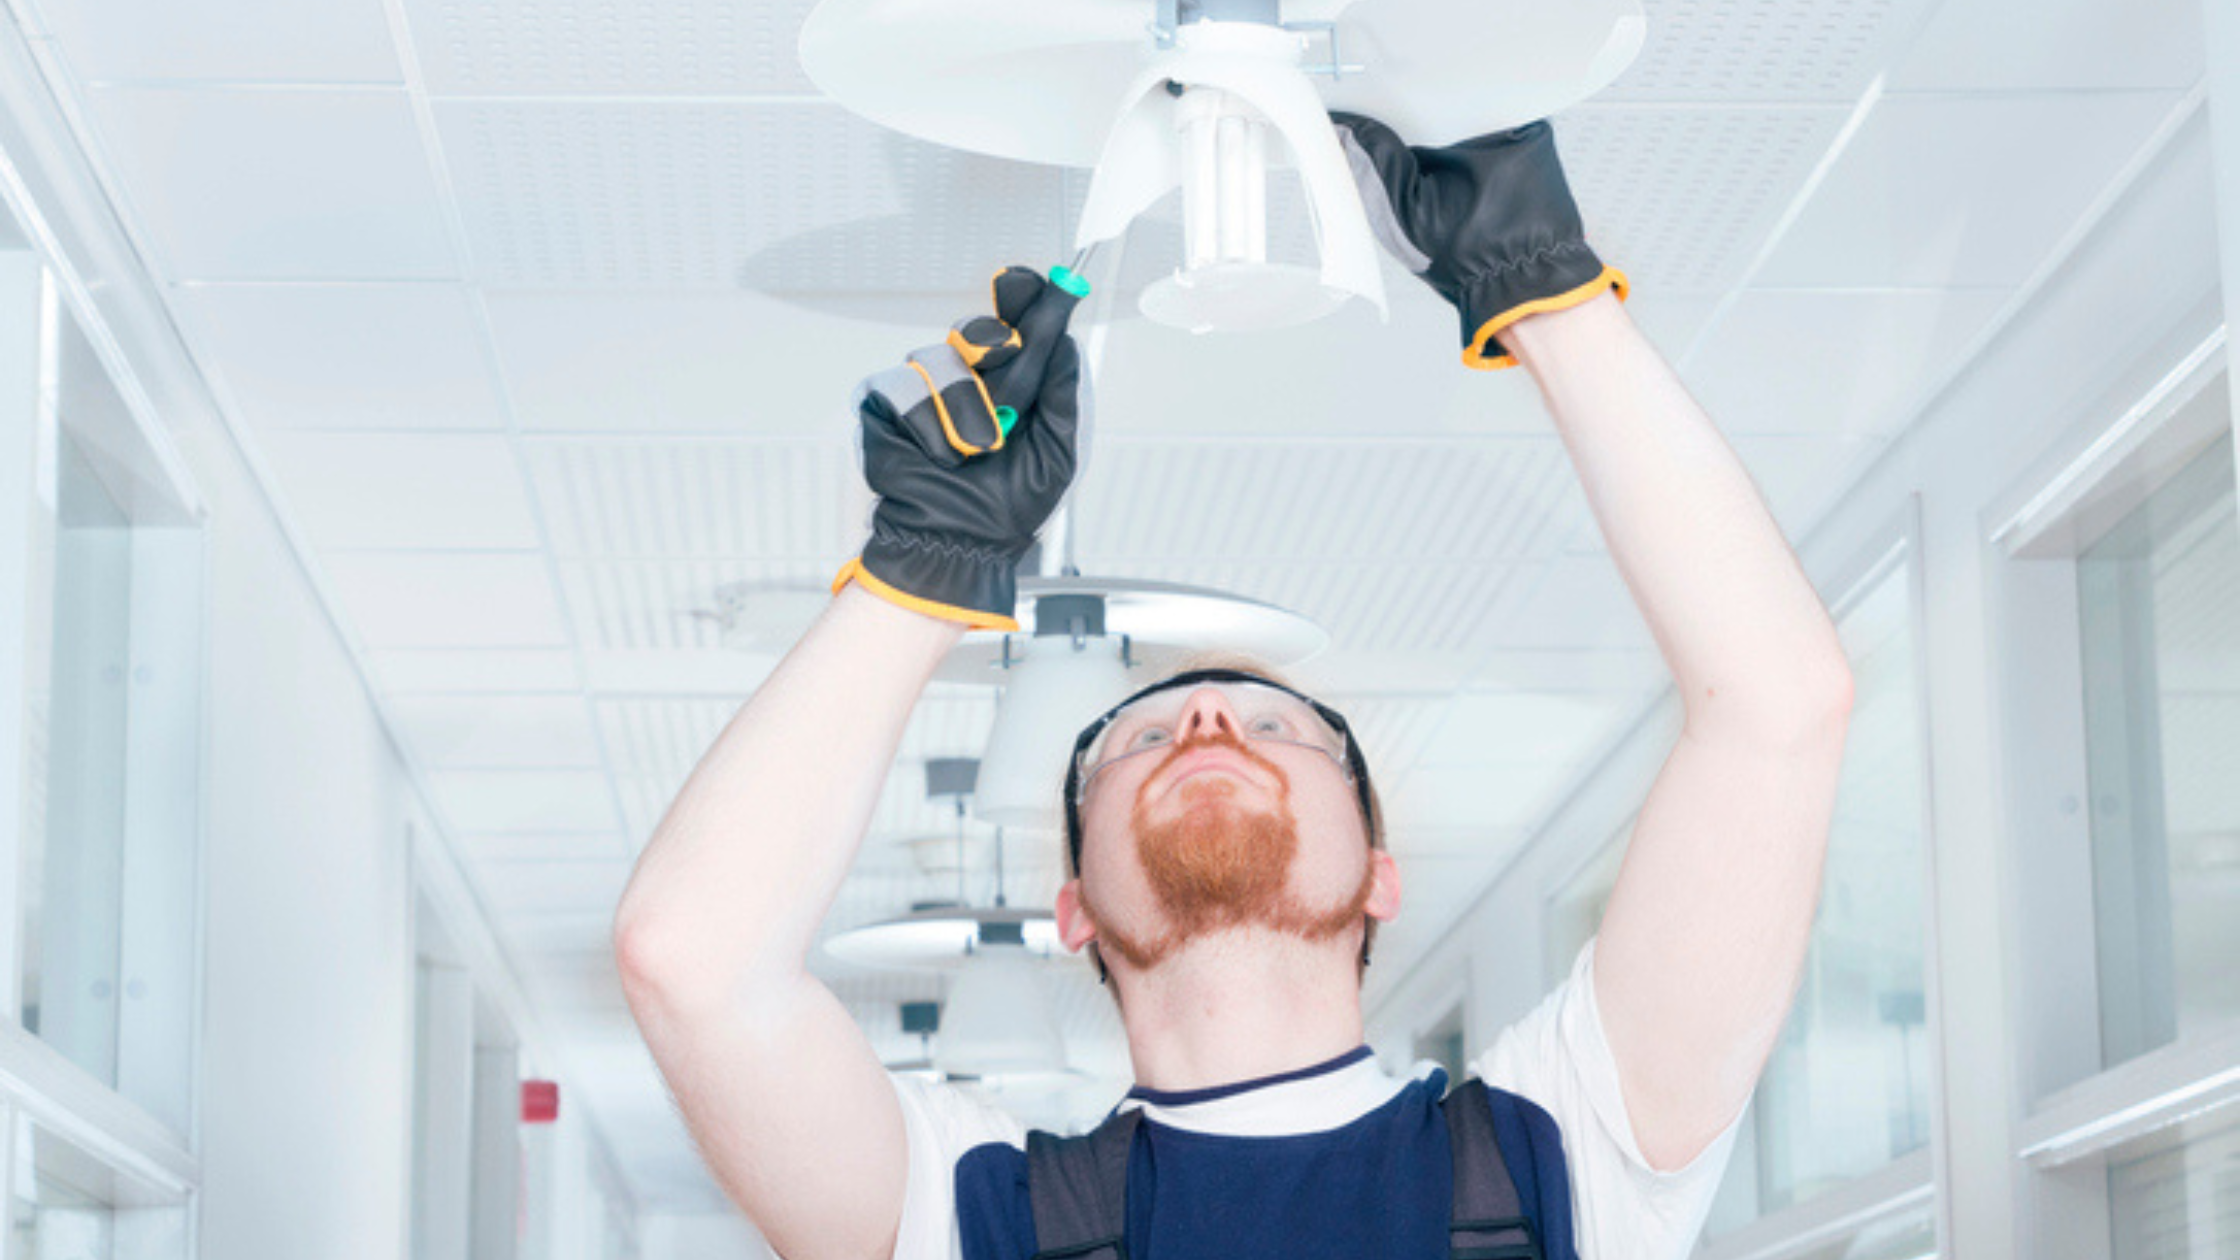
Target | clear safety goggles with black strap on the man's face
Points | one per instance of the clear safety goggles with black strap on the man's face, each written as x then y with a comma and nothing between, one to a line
1267,714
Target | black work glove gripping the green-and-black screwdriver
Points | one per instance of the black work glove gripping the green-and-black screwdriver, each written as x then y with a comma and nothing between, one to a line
969,447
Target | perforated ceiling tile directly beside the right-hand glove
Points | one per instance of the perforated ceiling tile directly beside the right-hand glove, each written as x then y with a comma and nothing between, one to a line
1681,198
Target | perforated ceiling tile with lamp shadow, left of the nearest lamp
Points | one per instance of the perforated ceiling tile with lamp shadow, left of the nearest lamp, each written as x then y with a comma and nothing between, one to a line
772,198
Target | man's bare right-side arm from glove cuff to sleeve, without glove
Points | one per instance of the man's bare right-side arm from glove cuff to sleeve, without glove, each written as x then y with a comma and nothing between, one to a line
1706,934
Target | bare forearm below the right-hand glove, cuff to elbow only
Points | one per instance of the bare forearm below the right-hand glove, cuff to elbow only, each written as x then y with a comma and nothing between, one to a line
1733,611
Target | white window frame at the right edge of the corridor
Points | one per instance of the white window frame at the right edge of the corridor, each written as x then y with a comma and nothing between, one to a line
2075,1113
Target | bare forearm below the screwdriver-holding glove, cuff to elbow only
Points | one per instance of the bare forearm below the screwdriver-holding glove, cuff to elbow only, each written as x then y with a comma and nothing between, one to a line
752,853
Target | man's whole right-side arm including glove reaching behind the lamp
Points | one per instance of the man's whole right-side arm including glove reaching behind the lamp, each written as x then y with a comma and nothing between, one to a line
1708,927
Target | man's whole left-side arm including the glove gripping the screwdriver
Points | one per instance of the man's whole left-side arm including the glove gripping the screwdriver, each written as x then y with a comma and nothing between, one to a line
776,1082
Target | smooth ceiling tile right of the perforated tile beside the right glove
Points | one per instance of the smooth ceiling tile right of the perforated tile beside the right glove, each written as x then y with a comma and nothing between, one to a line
1957,192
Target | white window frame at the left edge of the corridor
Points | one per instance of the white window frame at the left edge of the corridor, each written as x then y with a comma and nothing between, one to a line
73,335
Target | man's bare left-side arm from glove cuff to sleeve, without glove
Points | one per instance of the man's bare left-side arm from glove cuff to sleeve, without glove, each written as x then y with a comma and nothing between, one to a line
781,1088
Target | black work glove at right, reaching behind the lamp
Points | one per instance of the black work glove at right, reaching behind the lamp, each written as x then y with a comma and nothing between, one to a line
1488,223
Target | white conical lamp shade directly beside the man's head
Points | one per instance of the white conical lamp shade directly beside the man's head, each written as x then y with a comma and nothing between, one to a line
1052,694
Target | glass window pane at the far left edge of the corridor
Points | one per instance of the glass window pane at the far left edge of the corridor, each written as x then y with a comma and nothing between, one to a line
111,734
